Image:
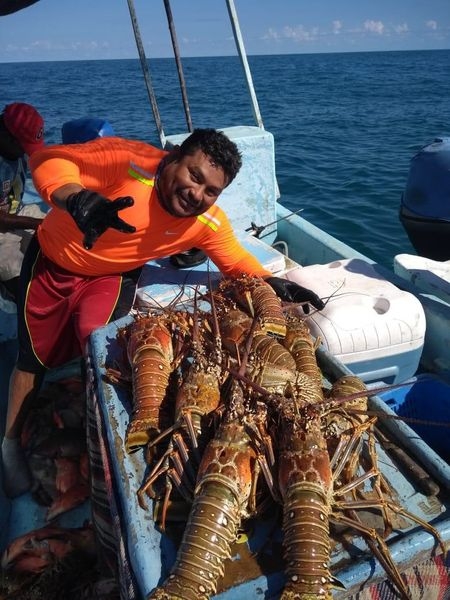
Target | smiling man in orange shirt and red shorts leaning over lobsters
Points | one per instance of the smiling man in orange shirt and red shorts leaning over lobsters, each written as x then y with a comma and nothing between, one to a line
81,271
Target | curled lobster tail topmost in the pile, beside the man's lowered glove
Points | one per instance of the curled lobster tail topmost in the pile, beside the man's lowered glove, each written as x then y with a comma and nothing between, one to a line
257,298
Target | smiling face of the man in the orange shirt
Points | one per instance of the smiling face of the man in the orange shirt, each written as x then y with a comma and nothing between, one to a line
190,185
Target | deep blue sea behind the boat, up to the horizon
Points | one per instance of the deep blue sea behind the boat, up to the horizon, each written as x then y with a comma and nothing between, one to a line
345,125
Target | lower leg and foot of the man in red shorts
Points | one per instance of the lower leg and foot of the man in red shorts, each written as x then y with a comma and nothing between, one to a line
23,387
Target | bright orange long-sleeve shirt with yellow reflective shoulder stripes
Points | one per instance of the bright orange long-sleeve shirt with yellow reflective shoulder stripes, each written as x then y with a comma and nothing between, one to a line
117,167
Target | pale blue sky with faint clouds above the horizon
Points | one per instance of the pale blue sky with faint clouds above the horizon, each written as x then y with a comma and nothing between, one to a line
102,29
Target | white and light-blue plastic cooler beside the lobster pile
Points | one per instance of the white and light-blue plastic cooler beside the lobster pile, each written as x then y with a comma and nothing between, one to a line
374,328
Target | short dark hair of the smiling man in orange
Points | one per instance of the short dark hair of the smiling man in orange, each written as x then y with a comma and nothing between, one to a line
223,152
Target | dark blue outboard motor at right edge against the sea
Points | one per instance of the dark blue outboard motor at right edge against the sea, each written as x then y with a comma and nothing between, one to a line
425,204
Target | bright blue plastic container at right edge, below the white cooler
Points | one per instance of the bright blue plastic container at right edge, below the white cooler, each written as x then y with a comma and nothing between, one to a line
427,399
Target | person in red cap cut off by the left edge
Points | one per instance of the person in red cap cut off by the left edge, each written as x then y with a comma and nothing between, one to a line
21,133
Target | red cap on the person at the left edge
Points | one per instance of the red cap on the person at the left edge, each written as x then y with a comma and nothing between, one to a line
25,123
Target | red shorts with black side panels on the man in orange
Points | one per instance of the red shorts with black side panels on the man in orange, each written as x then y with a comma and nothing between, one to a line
57,310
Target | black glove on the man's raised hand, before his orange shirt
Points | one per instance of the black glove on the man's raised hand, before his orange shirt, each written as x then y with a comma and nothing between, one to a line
94,214
